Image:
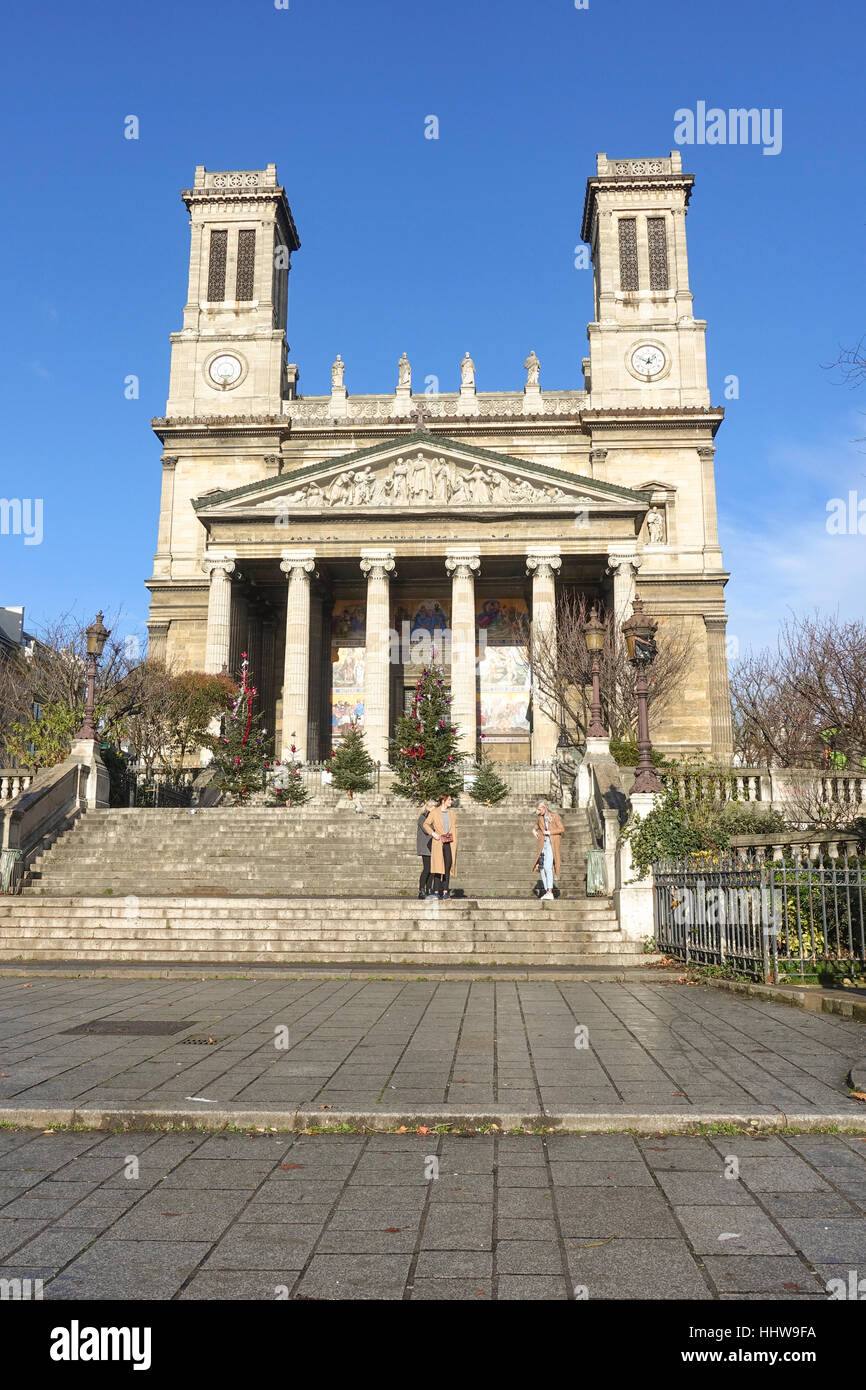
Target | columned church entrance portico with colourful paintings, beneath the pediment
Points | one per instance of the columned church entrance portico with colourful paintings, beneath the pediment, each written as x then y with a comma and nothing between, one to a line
343,639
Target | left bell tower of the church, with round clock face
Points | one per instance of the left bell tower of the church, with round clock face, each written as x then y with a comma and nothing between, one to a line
230,357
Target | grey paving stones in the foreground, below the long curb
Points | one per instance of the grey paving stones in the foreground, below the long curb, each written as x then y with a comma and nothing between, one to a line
443,1217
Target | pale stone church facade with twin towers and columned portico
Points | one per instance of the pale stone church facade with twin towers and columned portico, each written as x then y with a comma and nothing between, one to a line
345,540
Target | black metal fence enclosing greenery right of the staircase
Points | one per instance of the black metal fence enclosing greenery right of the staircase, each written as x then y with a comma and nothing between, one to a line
774,921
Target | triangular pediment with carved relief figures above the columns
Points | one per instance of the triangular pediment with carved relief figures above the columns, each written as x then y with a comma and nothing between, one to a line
420,472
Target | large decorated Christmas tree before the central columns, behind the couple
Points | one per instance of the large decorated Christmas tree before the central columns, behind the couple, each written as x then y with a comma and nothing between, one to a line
425,751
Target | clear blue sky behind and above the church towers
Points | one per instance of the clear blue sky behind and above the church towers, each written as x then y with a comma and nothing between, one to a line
432,247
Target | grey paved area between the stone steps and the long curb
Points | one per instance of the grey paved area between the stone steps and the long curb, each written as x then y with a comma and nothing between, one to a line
386,1045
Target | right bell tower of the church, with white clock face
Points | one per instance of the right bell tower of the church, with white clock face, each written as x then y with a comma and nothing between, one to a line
646,345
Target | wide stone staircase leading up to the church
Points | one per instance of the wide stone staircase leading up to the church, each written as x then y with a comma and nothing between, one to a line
272,886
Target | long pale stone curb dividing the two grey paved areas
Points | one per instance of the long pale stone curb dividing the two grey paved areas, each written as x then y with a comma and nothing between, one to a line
384,1122
